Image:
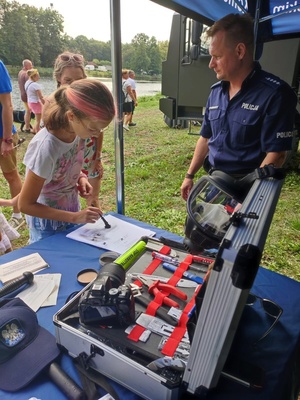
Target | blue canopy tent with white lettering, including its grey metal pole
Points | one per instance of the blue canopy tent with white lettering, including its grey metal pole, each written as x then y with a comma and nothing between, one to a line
274,20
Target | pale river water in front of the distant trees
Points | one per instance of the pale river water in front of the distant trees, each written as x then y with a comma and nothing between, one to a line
143,88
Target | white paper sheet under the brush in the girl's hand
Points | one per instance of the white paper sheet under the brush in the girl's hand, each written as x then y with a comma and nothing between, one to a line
120,237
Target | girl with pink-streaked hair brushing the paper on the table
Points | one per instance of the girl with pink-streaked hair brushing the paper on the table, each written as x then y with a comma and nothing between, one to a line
53,160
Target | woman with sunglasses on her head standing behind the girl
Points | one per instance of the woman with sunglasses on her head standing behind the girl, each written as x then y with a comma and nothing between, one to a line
69,67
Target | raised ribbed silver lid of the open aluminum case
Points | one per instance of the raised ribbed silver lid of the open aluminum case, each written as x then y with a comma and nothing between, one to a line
229,284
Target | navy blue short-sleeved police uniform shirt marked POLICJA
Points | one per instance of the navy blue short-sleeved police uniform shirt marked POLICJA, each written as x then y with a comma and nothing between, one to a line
257,120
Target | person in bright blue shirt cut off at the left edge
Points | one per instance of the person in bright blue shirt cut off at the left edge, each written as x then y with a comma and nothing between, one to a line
8,140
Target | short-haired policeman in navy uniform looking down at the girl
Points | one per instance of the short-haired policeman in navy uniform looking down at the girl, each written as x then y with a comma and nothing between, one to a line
249,115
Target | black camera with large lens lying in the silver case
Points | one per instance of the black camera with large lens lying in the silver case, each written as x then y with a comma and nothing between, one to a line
108,301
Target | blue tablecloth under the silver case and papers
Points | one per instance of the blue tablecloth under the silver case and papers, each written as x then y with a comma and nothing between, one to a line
278,354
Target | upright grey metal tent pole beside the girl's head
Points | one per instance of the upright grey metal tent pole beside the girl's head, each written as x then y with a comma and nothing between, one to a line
116,57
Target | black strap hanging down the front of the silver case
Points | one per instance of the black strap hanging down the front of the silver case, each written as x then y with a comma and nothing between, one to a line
90,378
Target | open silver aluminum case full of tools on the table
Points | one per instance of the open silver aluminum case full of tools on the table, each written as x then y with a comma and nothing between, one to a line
223,298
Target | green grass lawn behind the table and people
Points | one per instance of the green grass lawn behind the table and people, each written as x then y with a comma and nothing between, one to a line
156,159
